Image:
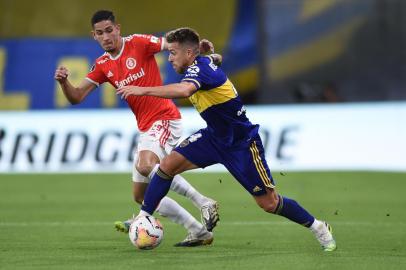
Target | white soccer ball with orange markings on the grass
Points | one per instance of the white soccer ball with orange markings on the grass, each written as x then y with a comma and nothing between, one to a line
146,232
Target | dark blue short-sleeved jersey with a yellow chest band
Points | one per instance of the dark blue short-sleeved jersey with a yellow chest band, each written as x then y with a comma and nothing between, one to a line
218,103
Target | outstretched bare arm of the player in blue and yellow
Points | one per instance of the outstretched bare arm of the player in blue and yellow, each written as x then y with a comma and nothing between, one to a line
174,90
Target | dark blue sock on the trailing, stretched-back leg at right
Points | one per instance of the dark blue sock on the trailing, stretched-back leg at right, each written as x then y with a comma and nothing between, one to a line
290,209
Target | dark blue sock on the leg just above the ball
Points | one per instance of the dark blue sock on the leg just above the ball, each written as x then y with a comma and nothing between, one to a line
156,190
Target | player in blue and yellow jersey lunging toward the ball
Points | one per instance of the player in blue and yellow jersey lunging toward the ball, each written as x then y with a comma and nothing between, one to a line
229,138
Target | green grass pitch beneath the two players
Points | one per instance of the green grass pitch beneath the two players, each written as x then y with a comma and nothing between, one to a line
66,222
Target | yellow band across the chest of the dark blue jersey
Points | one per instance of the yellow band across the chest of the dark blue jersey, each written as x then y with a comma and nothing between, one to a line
204,99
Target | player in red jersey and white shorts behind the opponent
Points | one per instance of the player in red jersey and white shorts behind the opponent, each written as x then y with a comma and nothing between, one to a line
130,61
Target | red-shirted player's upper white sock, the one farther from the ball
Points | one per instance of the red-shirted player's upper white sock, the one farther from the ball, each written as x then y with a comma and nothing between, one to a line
182,187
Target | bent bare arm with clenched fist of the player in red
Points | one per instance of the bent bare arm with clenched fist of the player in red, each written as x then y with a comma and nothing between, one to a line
75,95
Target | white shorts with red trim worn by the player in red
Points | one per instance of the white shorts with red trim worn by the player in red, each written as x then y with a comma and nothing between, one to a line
160,139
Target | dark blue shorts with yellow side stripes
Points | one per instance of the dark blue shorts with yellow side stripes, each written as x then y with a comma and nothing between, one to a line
246,163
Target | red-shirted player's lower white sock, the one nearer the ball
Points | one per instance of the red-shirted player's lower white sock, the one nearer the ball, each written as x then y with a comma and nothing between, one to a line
171,209
